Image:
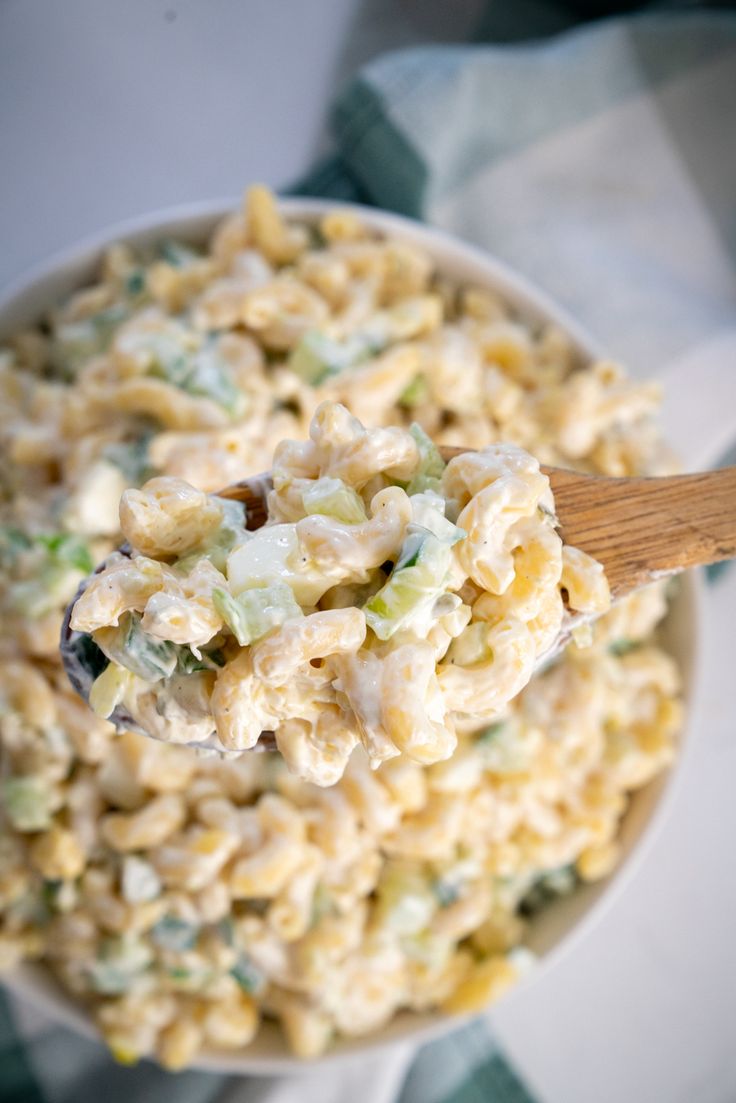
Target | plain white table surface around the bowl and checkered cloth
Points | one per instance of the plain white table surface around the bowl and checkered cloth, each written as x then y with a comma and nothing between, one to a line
111,110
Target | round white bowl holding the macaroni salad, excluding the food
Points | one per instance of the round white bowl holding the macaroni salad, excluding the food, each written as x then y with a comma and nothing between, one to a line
556,928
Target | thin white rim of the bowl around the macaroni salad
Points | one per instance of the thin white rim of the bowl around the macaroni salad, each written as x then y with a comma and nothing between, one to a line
23,298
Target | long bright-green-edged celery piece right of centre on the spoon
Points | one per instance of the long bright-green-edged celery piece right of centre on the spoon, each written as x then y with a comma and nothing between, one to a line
415,584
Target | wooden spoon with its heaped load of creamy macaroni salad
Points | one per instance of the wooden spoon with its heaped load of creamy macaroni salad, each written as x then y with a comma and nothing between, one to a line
372,590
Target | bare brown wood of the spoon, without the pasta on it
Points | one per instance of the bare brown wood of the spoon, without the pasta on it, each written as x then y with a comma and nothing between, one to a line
641,530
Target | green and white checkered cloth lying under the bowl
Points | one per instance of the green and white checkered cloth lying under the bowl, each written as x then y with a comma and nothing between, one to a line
601,164
